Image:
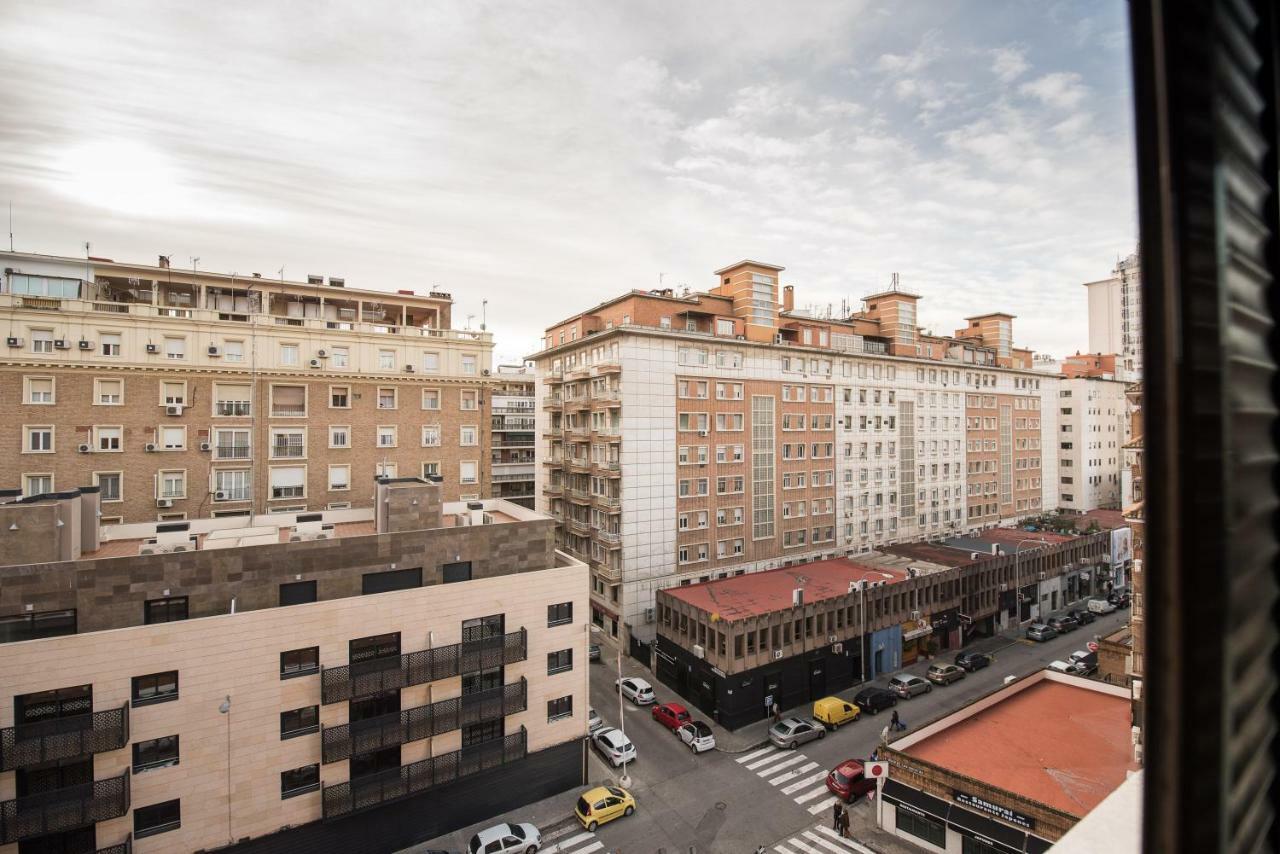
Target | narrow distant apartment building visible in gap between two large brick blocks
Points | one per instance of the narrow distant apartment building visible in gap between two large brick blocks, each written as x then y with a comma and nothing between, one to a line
514,430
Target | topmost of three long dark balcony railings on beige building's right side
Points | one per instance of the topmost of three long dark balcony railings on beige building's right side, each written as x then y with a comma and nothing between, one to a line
367,678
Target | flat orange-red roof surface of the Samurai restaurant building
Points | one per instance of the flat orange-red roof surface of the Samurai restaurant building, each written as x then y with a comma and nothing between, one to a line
1063,746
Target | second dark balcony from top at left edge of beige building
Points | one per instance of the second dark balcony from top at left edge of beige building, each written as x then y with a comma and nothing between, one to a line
62,810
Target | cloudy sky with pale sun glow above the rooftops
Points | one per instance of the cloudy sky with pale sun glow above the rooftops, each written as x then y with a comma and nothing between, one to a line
548,156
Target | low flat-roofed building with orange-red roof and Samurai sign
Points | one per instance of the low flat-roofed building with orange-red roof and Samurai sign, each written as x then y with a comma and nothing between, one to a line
1013,771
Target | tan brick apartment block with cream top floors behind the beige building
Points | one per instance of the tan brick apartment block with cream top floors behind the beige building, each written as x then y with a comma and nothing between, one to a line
189,394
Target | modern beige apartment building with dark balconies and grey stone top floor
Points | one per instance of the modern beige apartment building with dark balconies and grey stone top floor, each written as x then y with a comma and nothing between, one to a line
351,681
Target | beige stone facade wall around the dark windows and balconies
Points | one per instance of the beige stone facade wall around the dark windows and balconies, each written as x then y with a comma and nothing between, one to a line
239,656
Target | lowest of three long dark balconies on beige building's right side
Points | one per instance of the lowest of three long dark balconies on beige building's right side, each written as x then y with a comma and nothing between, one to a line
396,784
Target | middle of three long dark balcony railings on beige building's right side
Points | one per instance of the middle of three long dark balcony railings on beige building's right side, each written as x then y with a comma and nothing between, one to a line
341,743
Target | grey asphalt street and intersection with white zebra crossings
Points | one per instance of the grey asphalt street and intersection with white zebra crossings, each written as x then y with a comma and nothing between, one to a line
732,803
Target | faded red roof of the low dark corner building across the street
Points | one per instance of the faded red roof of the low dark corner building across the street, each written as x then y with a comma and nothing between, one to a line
756,593
